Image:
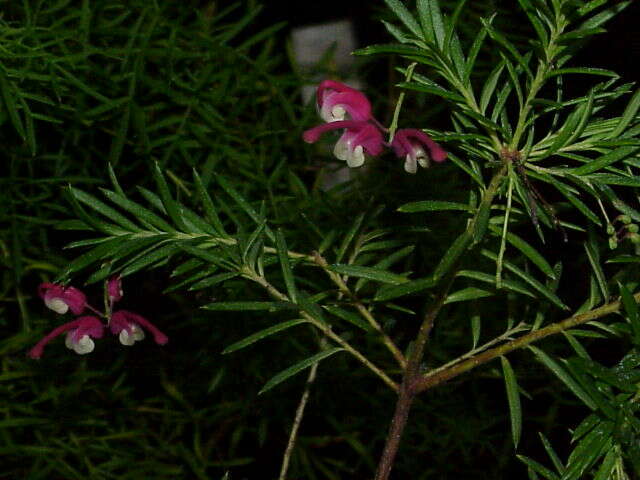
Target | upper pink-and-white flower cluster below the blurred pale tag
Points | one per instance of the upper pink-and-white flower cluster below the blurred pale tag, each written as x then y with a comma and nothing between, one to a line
347,109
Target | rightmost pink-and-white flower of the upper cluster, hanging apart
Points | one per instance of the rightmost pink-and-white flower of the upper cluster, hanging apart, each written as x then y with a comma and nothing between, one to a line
417,148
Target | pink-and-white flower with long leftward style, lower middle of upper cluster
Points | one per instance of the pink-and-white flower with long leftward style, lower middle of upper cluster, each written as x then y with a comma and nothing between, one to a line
358,138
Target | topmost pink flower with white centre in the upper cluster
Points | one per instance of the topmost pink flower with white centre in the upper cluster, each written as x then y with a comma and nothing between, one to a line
337,101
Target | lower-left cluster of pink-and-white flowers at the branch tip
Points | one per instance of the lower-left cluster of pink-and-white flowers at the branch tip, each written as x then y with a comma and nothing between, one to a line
81,331
